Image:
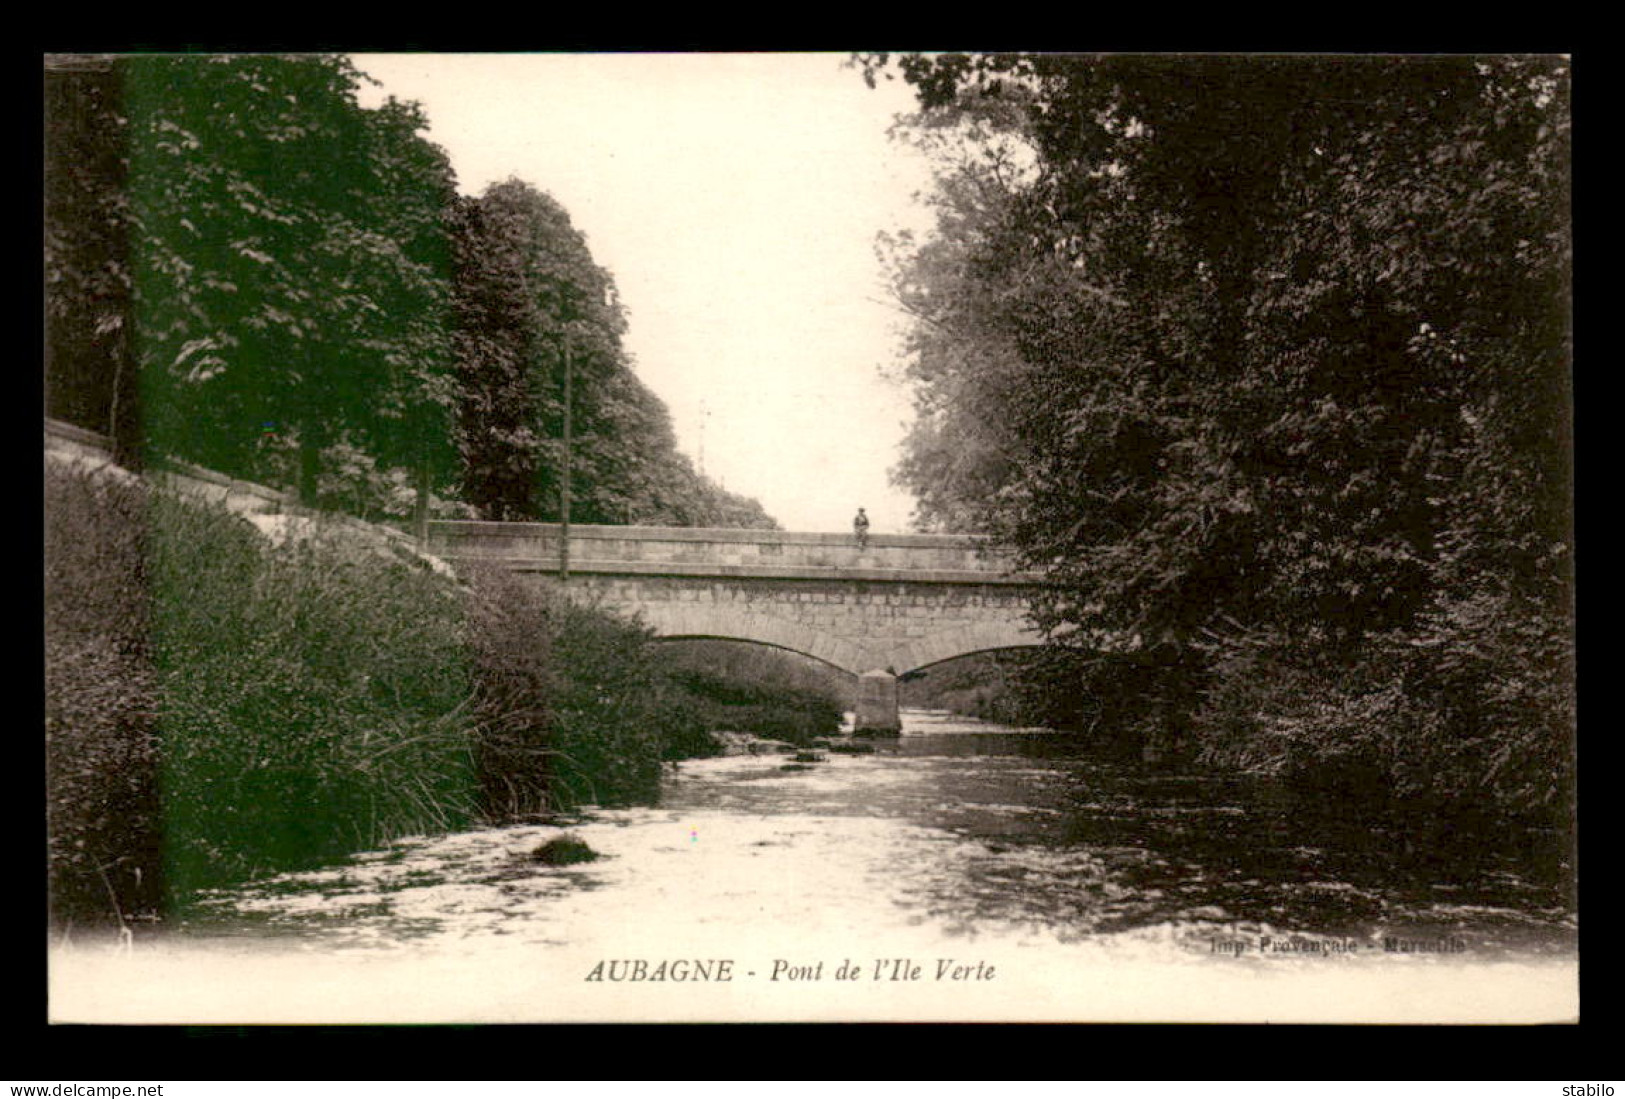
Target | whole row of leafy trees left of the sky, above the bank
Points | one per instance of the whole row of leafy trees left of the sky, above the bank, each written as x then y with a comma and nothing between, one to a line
249,271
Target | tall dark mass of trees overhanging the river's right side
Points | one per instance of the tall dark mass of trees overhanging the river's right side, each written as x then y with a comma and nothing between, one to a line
1267,363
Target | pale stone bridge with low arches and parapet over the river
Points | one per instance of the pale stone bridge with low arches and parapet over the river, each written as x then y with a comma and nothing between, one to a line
901,604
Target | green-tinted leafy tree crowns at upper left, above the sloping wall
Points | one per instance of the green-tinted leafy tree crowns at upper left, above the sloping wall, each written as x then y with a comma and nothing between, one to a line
287,259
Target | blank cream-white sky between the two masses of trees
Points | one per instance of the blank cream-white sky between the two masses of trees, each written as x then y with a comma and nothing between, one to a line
735,199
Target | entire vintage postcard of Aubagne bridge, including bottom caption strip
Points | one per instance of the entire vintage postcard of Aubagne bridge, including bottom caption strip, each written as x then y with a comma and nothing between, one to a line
810,537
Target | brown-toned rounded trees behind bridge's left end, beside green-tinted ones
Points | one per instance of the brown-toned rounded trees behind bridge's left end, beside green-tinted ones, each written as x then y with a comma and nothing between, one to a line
539,326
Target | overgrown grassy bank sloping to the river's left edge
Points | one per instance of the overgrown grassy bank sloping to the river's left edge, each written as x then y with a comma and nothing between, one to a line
225,702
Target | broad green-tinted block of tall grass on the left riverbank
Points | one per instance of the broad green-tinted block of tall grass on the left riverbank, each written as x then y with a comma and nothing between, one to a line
310,697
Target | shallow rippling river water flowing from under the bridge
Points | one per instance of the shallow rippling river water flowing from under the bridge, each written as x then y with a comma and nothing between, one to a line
960,825
